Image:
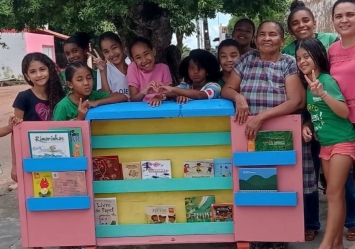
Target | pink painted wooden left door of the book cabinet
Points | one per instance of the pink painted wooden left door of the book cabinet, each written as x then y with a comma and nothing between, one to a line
53,228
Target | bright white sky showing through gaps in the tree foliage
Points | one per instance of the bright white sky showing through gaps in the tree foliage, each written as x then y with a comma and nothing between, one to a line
213,25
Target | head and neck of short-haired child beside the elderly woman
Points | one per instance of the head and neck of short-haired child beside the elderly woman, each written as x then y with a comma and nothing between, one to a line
228,54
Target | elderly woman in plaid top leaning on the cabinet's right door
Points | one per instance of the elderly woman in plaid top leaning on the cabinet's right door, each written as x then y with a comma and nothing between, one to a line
255,76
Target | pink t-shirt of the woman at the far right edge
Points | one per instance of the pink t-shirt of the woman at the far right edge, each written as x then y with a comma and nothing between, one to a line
342,69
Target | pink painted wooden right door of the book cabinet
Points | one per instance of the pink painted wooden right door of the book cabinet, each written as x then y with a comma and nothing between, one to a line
272,224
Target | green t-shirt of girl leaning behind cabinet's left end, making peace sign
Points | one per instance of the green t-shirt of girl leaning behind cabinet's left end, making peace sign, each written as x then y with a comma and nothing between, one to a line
66,109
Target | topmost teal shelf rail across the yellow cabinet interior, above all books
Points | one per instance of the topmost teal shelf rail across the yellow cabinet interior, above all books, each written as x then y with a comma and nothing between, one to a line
161,140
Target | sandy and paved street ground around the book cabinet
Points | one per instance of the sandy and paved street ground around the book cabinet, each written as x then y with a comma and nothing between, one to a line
9,223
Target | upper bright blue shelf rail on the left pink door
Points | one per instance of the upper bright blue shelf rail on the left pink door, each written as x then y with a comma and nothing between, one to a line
55,164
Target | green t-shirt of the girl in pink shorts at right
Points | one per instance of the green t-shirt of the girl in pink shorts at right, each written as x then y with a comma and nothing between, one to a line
329,127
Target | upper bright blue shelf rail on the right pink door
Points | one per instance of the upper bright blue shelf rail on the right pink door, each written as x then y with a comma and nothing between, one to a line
264,158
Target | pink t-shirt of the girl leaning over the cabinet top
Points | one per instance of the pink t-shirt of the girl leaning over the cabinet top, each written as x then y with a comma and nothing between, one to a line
140,79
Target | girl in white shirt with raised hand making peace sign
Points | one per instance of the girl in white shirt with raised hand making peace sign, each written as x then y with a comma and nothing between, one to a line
111,77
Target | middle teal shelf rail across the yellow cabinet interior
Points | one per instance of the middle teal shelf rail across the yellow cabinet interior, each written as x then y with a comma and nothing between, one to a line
162,185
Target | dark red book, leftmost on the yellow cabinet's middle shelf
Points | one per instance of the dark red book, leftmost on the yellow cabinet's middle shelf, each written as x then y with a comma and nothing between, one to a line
107,168
